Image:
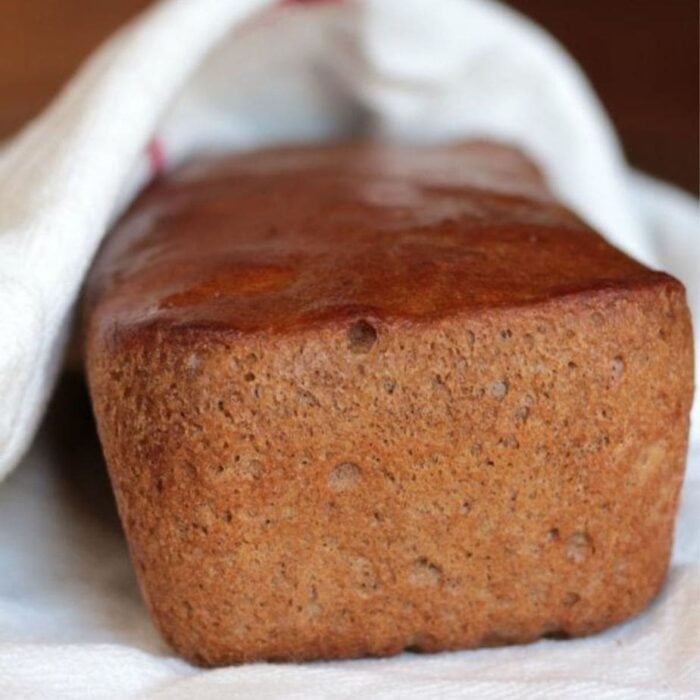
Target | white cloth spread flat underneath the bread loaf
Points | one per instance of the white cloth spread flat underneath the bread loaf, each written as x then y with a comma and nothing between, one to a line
72,624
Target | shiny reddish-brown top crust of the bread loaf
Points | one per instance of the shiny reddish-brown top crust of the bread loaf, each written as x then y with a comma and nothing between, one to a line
288,238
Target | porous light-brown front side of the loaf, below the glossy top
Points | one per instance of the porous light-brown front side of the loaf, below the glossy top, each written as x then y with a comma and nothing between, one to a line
373,485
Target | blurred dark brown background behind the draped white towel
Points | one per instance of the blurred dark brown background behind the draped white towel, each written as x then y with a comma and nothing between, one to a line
641,55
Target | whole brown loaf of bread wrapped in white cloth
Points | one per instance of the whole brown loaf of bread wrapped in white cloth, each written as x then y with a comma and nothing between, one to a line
358,399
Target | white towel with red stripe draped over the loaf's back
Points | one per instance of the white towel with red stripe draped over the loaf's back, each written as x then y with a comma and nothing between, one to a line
395,69
